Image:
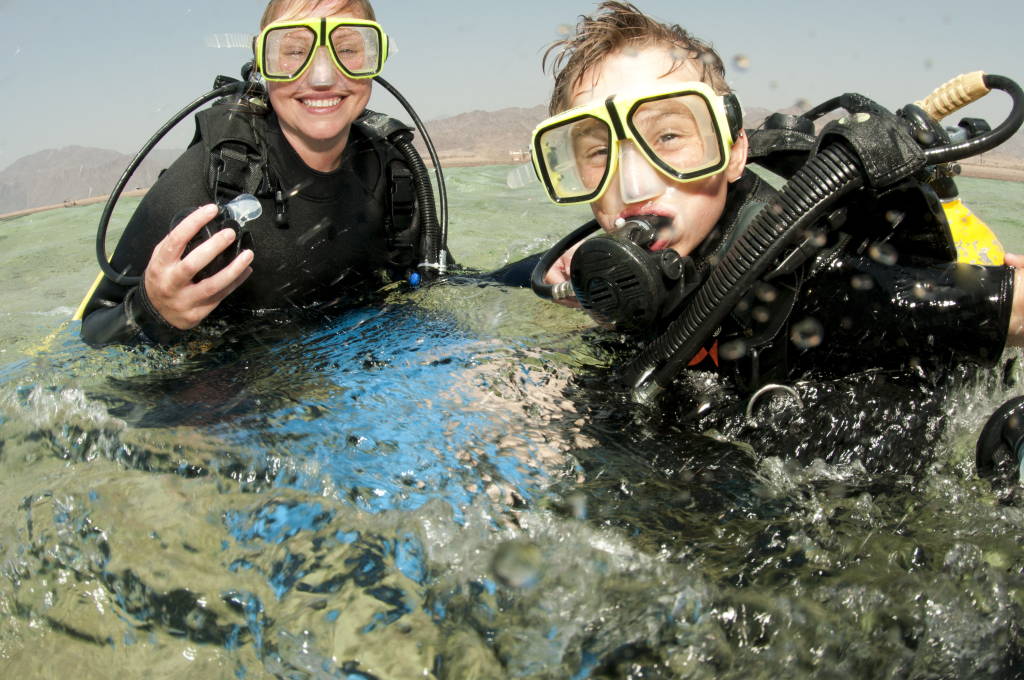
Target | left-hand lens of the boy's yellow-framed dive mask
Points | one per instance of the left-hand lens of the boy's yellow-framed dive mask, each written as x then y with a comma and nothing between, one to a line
573,158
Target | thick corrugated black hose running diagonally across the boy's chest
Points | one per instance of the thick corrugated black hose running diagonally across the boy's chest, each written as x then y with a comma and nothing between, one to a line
809,194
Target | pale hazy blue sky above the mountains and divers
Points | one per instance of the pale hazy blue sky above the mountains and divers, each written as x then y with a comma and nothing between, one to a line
108,73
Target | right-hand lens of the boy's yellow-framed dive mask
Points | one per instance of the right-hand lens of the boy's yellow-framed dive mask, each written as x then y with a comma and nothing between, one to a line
679,134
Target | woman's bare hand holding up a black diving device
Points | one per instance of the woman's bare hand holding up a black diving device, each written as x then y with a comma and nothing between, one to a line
168,279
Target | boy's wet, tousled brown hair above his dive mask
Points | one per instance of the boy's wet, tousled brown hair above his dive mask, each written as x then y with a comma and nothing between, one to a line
619,26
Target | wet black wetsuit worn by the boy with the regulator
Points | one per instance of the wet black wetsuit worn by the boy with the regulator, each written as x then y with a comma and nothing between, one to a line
847,312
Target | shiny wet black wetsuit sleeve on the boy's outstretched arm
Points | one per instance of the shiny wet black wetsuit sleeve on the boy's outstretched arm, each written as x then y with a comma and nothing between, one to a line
880,316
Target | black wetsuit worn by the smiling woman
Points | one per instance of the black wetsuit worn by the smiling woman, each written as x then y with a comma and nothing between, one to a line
334,245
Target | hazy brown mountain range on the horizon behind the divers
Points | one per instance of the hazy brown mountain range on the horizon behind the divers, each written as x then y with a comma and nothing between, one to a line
479,138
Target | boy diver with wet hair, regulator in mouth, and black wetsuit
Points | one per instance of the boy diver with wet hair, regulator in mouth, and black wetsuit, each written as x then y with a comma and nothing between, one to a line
646,131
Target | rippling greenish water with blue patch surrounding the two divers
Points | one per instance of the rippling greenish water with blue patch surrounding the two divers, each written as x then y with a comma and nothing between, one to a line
450,486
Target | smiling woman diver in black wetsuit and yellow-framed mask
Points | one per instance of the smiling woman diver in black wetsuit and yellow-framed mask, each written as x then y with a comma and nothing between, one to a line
337,209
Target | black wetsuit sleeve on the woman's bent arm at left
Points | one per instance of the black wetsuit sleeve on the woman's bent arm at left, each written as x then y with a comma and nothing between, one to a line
124,315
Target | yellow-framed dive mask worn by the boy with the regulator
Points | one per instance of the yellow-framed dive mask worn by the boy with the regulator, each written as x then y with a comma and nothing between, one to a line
685,131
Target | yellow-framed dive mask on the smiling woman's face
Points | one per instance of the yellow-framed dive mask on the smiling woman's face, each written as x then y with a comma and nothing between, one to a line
285,50
